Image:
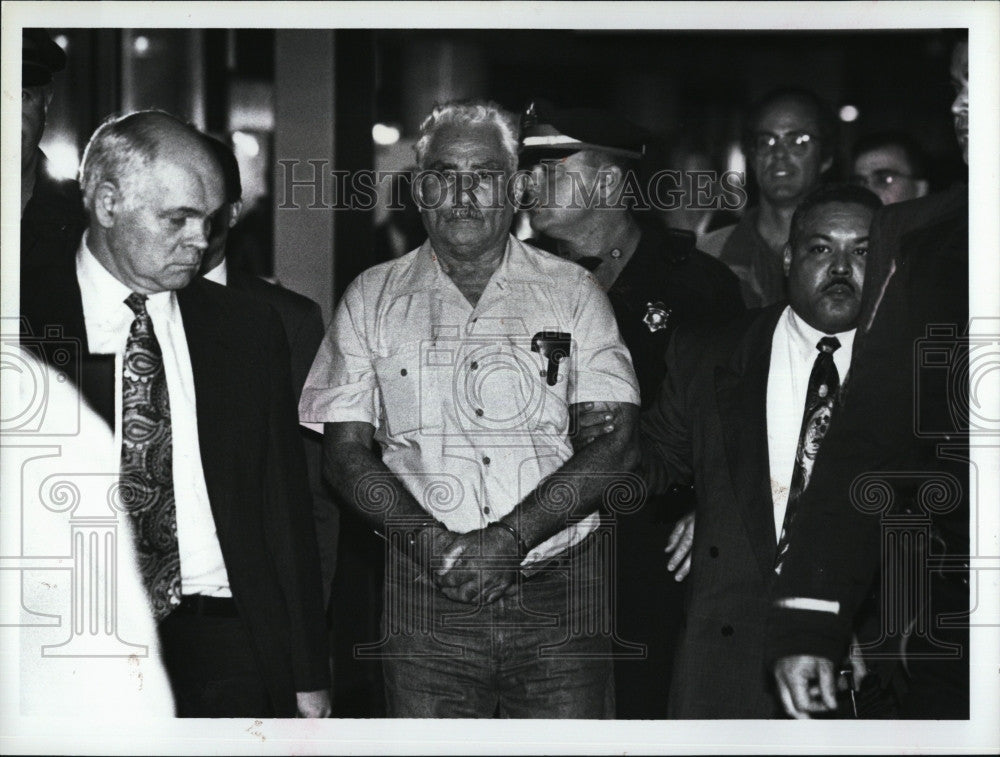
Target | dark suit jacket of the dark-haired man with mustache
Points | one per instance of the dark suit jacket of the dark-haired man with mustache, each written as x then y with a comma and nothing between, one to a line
709,427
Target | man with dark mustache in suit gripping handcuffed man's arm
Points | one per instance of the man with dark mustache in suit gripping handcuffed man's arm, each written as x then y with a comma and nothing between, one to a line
741,414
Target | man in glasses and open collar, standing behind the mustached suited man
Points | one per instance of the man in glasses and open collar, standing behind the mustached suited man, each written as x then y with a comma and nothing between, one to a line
789,145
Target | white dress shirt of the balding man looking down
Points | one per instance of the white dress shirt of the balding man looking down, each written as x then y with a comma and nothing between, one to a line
108,320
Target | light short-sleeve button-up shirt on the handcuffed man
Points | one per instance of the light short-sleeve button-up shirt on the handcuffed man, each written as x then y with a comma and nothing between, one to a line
465,407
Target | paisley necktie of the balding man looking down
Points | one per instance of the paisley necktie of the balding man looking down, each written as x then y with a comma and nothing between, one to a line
146,465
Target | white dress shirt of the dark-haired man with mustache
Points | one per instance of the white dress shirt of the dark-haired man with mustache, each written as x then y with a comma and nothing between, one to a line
793,353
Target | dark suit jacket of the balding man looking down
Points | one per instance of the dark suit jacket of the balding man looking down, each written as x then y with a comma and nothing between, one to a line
252,459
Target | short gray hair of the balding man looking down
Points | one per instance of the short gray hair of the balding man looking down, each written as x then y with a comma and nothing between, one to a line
120,150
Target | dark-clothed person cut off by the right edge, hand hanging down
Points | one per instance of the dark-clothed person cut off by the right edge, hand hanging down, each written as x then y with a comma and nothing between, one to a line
905,425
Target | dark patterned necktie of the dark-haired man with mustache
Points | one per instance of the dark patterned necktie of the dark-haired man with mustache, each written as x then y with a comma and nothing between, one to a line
824,383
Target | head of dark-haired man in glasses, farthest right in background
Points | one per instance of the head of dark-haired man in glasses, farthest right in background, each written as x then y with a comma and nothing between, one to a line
892,165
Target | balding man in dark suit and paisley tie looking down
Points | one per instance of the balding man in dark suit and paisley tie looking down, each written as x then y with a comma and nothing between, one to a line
194,380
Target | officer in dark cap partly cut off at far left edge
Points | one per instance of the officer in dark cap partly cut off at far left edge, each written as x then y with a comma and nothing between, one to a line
52,216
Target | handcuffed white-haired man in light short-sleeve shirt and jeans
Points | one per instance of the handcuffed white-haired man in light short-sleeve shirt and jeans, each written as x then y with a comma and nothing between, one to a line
465,360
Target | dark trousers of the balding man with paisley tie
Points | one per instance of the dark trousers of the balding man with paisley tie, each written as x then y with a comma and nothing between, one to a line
209,659
